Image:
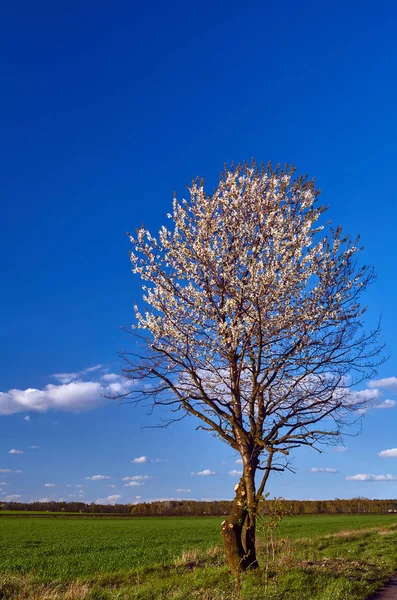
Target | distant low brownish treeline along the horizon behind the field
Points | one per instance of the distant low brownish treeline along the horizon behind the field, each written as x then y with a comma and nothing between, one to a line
193,508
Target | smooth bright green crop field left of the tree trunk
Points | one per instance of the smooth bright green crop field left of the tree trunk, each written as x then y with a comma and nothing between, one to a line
67,548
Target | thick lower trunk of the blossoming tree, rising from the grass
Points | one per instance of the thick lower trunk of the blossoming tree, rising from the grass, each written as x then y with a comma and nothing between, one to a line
238,532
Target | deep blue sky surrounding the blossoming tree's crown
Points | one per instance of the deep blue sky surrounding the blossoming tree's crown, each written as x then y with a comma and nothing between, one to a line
106,110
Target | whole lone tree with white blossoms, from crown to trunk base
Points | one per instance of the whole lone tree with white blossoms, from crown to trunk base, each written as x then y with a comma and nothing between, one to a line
253,325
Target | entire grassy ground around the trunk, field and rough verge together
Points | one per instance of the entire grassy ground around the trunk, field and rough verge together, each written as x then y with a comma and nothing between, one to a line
316,558
